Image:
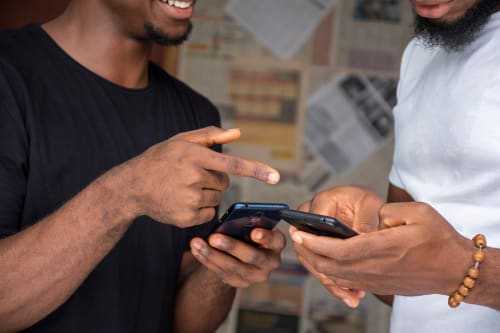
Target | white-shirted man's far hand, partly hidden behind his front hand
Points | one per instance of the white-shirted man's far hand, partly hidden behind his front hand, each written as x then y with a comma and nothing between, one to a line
354,206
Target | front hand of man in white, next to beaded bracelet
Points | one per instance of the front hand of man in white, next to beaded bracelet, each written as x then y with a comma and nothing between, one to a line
420,253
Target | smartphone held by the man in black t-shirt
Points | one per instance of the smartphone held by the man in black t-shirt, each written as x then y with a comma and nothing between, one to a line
241,218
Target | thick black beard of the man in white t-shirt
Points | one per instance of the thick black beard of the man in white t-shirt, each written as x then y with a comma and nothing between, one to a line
455,36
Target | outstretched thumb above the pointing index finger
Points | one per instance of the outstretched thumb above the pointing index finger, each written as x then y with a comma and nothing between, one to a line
210,136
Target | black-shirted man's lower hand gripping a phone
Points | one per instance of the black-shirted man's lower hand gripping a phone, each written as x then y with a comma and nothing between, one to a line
239,264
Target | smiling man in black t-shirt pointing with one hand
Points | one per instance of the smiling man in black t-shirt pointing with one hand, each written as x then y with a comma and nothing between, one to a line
108,180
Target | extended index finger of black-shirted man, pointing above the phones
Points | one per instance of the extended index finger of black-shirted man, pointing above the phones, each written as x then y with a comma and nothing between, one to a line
238,166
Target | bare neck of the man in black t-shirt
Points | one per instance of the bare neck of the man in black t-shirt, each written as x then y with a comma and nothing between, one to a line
90,35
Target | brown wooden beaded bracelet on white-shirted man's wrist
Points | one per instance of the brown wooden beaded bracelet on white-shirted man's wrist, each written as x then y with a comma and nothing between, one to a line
469,282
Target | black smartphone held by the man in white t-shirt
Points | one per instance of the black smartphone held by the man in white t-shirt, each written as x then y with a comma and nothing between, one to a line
317,224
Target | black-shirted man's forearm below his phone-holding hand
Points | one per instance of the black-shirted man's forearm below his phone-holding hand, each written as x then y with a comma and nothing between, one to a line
203,302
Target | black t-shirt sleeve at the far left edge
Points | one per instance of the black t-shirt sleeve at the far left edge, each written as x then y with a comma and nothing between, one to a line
13,152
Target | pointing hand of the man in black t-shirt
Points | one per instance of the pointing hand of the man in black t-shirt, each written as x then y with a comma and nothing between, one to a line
180,181
